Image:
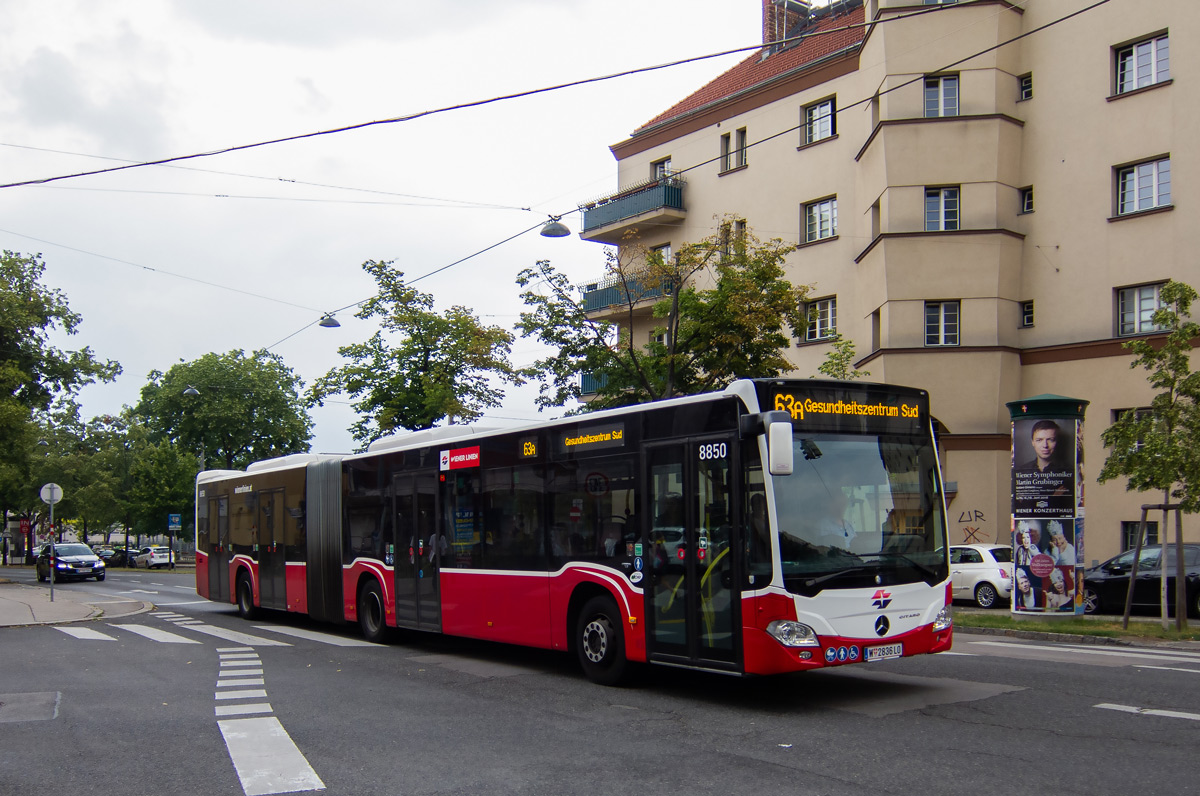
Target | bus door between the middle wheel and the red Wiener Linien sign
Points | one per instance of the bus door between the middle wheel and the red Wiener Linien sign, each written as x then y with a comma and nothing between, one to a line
417,561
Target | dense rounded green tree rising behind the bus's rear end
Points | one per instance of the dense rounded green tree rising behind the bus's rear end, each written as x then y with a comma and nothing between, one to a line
239,409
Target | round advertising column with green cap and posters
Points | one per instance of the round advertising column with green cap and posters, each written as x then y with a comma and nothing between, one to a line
1048,505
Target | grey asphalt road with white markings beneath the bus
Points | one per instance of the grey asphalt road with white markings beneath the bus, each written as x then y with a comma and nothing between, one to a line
169,703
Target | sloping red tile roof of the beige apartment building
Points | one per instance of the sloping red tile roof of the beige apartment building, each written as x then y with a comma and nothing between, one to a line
848,32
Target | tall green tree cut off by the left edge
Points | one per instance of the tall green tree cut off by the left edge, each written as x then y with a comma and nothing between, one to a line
34,373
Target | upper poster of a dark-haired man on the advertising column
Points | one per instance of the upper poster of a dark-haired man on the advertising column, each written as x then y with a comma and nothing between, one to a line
1045,468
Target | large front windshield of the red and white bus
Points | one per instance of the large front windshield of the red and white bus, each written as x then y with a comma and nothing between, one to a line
861,511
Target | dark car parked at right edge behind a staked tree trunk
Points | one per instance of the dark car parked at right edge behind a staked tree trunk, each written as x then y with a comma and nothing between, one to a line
1106,586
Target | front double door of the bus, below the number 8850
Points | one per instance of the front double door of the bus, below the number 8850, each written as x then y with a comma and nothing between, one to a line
692,597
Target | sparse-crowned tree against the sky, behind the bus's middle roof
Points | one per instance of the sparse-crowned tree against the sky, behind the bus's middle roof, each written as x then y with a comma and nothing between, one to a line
422,367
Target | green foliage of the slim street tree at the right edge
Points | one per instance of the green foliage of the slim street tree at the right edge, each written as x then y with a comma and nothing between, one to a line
1160,450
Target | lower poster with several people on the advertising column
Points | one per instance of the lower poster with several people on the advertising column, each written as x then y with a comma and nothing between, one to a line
1047,571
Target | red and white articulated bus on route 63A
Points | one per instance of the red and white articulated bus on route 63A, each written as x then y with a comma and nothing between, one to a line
776,526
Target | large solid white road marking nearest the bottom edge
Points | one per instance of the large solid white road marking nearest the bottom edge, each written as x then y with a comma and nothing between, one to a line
267,759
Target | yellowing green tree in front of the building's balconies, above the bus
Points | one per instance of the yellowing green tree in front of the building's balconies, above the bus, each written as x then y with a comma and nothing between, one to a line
701,338
